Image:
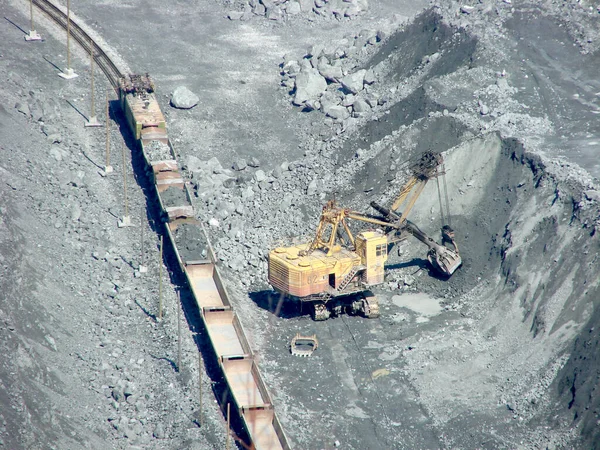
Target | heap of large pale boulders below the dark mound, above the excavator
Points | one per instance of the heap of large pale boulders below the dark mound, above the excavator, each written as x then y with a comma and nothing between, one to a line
328,79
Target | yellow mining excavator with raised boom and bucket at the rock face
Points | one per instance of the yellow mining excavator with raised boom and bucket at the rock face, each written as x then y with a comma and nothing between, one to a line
334,271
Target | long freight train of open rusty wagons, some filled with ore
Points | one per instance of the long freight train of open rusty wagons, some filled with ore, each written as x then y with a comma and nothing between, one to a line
196,259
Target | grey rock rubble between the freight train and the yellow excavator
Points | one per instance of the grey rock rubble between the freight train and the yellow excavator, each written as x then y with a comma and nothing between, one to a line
246,207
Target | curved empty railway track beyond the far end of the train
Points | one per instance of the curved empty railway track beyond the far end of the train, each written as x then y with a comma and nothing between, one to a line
109,68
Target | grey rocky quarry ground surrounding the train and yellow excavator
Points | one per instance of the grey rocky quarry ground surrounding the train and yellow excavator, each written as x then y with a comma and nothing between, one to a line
296,107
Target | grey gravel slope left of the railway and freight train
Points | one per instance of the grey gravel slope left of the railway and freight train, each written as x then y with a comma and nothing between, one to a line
84,364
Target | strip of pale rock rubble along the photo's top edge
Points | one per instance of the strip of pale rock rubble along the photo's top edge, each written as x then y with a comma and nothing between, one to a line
279,10
